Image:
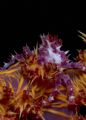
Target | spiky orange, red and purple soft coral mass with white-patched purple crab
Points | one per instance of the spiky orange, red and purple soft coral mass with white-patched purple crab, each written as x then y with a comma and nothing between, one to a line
43,84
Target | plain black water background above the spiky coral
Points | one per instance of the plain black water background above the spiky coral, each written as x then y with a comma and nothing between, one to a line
20,26
